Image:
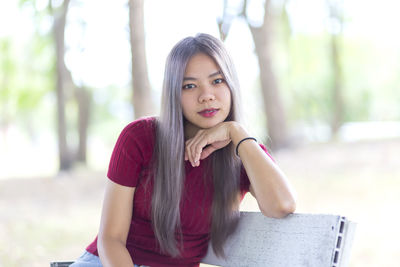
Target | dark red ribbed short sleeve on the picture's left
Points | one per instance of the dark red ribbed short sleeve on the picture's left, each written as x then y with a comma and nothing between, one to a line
130,153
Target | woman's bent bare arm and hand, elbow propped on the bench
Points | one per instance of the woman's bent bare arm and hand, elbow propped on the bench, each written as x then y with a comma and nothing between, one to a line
268,184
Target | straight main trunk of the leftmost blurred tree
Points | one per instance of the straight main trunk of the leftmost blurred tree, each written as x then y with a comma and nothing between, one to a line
58,31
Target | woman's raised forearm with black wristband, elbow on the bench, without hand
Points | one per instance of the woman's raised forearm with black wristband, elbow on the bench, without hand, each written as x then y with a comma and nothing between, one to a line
269,185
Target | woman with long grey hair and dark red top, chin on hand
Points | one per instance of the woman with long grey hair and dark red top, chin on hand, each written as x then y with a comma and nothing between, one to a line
175,181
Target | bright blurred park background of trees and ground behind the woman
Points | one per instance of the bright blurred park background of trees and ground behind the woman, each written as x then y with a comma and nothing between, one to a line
319,83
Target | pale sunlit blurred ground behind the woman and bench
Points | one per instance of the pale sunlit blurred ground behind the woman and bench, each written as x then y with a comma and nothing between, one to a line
46,218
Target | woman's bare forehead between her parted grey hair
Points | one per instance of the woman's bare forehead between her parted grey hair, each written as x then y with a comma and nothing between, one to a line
201,63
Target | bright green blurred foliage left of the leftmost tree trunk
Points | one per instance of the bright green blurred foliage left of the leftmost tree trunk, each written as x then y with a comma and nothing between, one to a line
27,73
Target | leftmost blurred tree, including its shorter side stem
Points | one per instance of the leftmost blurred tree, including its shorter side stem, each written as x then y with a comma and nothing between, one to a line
65,86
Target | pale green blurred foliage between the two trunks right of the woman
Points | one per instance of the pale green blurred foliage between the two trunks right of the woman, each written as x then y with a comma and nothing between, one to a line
305,78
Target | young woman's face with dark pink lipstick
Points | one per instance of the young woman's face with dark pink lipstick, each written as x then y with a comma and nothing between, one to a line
205,98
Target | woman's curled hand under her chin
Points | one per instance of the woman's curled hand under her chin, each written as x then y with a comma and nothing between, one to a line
206,142
